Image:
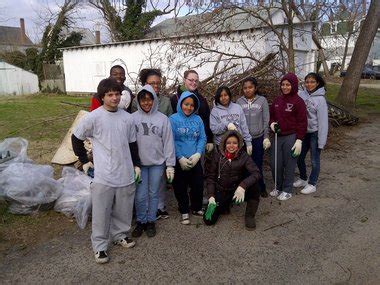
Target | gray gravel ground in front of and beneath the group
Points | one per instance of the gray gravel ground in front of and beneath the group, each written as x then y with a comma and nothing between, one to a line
331,236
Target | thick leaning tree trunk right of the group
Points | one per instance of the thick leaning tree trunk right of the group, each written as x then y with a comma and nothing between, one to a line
348,91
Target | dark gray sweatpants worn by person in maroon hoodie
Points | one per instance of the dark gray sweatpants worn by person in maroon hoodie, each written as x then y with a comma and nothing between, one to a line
286,164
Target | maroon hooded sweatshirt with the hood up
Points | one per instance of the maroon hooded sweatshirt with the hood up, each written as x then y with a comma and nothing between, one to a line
289,110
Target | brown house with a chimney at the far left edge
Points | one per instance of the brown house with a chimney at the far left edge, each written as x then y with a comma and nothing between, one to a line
14,38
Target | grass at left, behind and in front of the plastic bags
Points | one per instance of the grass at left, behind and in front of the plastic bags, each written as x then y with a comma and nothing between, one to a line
43,120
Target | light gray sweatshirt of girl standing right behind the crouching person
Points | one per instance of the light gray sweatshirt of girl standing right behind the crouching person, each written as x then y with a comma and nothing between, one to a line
221,116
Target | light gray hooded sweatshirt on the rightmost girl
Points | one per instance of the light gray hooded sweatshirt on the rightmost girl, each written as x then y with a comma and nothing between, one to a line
317,114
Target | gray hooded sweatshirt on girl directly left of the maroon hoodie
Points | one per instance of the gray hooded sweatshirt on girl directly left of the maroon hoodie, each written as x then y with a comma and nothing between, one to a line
257,115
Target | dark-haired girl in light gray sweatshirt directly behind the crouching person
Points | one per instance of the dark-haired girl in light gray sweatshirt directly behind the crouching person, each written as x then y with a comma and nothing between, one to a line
228,116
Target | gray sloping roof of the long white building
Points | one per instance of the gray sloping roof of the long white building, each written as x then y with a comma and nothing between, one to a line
217,21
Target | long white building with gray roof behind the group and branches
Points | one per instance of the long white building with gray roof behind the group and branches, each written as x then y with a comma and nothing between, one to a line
172,46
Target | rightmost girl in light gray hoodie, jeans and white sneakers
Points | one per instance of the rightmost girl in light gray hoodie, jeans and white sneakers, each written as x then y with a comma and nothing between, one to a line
317,129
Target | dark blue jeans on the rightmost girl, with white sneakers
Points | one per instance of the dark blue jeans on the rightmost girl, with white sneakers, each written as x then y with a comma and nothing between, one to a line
310,142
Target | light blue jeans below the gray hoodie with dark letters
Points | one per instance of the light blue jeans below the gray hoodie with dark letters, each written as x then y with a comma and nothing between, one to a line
146,198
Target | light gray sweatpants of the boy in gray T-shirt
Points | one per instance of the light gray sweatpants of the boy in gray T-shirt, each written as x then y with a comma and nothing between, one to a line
111,213
